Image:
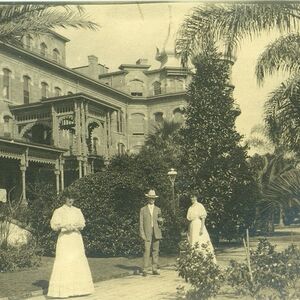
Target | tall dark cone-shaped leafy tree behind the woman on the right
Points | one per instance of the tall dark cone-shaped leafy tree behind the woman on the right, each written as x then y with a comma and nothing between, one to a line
214,163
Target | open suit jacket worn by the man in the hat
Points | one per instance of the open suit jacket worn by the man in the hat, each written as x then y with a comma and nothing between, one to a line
145,223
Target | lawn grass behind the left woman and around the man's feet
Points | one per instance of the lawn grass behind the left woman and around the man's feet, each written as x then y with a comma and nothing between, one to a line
22,283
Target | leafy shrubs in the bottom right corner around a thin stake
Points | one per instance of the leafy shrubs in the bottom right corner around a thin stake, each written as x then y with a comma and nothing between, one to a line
272,271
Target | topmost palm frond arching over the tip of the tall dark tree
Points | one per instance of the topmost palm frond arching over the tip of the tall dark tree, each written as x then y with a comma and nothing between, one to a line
231,23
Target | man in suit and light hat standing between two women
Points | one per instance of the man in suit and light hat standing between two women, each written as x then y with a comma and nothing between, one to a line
150,219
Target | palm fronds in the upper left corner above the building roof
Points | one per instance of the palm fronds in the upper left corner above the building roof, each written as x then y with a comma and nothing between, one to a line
16,21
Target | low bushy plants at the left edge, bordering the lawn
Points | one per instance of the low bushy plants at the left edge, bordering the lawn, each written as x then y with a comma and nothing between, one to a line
16,258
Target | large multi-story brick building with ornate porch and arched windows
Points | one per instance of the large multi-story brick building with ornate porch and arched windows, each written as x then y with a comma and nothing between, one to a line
67,121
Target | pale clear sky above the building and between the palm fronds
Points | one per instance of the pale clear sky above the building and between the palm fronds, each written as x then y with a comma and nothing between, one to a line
132,31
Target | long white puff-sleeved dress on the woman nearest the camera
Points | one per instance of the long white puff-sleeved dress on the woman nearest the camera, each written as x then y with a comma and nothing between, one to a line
71,275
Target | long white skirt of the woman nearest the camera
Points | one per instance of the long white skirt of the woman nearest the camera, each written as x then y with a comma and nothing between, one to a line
71,275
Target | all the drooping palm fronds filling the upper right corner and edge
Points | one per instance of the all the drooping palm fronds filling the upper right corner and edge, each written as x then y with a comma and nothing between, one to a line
228,25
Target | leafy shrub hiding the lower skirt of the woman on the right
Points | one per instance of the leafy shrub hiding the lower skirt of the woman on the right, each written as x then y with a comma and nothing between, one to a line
198,269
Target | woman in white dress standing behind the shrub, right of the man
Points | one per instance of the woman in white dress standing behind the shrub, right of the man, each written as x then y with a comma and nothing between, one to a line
198,233
